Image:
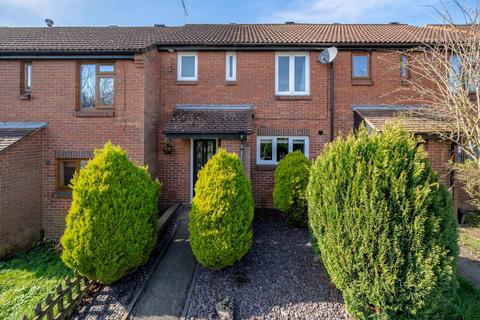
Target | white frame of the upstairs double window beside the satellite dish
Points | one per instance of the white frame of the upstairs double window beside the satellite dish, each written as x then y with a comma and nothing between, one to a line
291,69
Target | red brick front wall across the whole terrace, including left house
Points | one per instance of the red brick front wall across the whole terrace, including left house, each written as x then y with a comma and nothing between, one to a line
145,97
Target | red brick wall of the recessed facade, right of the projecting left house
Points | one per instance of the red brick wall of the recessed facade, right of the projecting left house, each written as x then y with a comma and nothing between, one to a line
256,85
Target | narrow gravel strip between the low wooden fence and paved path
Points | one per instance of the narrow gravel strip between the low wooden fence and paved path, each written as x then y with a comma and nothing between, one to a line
112,301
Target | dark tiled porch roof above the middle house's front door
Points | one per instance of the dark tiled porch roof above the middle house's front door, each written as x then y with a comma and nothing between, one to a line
210,120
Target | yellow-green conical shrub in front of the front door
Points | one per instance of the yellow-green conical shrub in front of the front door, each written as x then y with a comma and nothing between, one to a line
222,212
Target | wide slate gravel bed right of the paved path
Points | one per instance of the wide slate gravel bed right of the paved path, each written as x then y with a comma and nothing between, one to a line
277,279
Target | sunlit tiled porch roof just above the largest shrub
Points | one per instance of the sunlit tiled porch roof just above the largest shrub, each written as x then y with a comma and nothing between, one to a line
412,122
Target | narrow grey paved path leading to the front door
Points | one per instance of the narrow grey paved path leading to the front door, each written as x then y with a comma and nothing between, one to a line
165,295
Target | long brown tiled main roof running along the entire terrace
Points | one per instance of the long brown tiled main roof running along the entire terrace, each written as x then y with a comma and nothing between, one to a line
127,39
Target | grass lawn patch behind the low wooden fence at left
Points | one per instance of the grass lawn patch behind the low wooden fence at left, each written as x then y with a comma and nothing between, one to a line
27,278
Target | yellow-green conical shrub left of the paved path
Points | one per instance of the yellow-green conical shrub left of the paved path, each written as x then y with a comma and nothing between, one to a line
111,224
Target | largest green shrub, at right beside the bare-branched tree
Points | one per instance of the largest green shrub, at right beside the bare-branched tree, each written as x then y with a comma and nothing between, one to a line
384,225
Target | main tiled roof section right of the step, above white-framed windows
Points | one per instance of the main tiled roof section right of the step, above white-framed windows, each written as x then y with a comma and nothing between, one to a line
261,34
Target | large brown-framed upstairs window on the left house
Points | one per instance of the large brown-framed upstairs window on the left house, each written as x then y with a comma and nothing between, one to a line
97,86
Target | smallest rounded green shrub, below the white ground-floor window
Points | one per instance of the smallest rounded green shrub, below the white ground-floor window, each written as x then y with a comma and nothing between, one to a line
291,180
